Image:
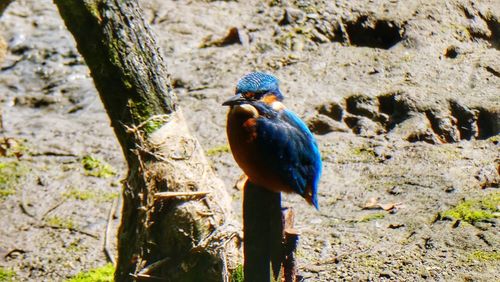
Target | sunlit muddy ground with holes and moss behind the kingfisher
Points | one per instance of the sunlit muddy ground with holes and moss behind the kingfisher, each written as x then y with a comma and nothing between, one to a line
403,96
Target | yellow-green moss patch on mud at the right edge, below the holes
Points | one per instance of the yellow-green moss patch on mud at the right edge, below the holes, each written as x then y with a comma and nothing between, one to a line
476,210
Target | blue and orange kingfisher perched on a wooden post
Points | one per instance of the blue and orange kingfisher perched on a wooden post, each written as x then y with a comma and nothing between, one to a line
270,143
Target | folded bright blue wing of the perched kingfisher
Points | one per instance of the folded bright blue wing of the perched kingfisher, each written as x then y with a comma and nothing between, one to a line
292,151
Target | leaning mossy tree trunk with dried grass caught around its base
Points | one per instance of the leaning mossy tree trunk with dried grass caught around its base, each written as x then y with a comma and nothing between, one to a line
183,236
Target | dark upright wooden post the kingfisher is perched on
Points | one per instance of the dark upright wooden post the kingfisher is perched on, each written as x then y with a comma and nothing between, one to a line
263,233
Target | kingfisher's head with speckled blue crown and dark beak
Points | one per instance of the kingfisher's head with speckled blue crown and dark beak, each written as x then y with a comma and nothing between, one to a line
256,86
